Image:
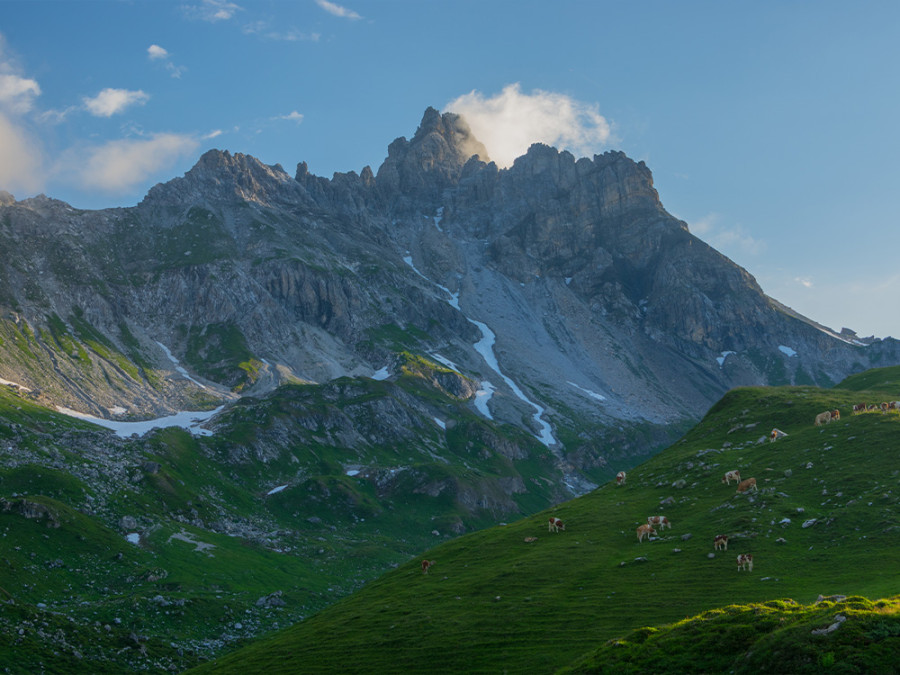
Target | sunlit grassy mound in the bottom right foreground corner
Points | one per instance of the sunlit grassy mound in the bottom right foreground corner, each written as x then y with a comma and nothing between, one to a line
851,636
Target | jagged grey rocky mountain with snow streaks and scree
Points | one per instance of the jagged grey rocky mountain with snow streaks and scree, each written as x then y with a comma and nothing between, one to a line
605,310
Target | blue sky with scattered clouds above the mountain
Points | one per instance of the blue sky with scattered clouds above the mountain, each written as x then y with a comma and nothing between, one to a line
770,127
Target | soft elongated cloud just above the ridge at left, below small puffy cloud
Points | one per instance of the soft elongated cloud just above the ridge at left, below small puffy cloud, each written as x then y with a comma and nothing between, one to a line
119,166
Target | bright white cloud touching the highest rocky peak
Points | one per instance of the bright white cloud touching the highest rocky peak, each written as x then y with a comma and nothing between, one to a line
511,121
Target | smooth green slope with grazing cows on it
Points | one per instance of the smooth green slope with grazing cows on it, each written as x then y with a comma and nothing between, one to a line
825,521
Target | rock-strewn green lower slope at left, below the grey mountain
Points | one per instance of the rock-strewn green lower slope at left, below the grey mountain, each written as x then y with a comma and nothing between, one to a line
153,553
